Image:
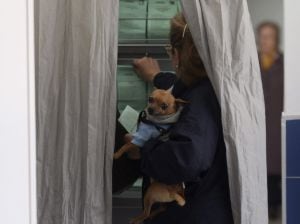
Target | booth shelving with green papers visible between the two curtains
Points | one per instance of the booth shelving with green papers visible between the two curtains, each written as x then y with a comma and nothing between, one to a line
143,31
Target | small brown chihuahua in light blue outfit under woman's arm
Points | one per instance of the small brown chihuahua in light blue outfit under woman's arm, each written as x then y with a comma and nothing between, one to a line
163,109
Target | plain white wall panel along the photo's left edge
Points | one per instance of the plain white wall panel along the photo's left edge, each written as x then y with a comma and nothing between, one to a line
17,114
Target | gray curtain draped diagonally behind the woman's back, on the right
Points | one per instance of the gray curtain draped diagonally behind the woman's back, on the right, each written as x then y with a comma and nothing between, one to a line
223,33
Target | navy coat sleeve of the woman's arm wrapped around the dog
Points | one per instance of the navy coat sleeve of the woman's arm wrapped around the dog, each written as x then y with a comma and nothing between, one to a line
191,147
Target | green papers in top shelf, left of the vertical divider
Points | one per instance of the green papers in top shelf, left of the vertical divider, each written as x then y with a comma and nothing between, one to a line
132,22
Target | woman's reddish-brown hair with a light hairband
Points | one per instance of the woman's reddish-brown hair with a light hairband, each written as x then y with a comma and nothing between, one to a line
190,67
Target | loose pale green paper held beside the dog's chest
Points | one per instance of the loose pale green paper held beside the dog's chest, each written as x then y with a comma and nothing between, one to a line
129,118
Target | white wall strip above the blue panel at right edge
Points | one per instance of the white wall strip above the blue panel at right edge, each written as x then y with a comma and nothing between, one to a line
292,57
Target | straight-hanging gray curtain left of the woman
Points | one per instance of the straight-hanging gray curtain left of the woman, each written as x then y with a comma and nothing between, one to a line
76,50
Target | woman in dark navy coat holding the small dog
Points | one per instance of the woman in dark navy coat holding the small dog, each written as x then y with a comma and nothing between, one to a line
195,152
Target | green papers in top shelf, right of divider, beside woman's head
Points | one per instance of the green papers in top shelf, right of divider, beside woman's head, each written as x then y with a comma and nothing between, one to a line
159,14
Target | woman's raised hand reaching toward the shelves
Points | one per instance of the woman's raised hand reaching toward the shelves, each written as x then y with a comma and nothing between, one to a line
146,68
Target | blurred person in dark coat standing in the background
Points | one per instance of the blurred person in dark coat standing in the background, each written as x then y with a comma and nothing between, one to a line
271,63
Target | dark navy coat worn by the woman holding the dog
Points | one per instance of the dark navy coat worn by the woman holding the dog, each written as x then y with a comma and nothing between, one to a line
194,154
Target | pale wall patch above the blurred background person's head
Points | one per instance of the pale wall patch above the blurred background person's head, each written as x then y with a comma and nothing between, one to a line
267,10
